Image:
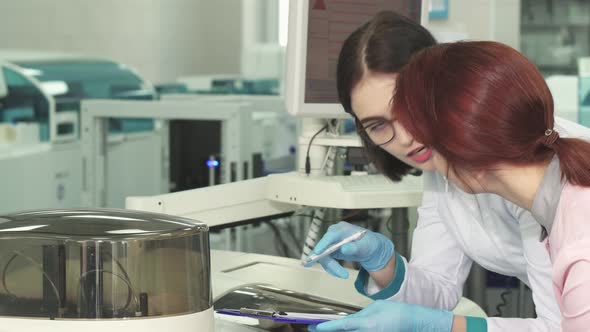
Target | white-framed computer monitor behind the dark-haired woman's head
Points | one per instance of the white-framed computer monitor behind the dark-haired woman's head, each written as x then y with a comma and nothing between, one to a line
317,29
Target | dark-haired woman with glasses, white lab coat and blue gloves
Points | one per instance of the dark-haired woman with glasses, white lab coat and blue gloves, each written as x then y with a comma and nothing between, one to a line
454,228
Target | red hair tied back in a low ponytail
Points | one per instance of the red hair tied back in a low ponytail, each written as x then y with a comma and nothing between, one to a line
483,103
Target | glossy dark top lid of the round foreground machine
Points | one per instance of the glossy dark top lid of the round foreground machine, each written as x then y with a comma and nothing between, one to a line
96,224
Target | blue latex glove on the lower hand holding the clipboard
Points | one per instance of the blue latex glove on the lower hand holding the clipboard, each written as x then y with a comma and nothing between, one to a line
383,315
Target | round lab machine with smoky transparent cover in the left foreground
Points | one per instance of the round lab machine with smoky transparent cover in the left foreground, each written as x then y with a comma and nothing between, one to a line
96,270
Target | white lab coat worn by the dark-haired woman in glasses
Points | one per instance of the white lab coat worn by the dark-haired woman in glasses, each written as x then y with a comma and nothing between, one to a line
455,229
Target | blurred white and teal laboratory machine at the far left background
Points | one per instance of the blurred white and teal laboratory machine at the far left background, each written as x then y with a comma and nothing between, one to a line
40,149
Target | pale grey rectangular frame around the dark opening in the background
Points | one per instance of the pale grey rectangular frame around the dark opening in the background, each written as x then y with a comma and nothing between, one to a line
235,120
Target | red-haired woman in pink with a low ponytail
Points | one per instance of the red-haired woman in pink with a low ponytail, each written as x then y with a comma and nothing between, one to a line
487,114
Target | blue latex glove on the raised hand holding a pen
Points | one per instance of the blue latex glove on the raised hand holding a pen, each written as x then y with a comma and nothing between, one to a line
372,251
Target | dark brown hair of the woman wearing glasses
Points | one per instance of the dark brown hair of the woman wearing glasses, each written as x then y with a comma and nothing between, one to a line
382,45
